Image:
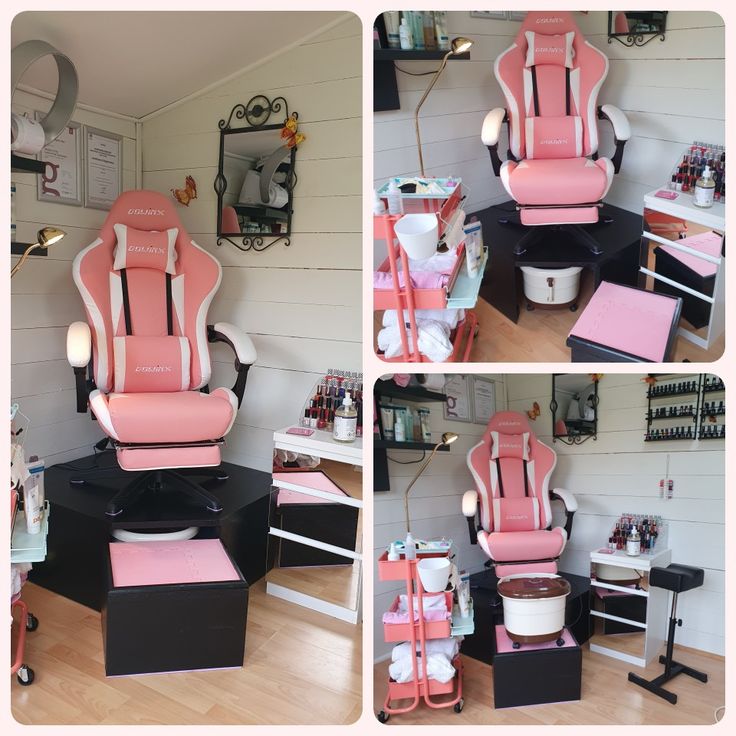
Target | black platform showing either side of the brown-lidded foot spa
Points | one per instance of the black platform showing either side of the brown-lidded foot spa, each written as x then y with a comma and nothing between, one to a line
488,612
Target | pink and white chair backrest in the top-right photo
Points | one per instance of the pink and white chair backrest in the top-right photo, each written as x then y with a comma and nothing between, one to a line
550,77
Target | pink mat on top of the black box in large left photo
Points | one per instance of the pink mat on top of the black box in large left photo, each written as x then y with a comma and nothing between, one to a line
162,563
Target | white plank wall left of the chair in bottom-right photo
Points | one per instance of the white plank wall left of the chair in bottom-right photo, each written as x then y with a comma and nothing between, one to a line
434,504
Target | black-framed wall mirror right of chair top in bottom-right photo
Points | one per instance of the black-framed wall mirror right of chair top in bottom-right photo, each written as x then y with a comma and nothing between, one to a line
574,407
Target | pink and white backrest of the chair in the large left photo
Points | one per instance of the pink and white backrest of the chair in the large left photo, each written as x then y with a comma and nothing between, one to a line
146,287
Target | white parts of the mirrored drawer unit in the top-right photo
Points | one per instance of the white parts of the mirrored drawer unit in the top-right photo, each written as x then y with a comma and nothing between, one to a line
713,218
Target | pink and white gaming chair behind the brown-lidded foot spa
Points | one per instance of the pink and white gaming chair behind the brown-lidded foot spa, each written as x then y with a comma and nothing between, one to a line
511,469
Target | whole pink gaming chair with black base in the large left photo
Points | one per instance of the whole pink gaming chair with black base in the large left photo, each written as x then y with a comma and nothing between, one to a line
142,360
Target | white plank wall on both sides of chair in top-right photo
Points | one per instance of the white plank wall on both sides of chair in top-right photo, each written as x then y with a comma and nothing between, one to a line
672,92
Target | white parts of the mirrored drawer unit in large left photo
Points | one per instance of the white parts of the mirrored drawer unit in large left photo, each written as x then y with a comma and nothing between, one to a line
322,445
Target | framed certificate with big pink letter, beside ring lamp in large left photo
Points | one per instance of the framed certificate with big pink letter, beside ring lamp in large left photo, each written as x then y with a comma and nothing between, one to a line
61,180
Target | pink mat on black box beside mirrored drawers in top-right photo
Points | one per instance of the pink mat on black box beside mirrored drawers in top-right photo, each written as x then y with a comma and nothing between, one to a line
634,321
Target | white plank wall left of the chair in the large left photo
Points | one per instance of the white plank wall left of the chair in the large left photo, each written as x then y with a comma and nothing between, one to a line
45,301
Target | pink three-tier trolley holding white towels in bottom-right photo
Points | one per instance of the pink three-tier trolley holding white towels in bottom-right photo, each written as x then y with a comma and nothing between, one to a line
419,631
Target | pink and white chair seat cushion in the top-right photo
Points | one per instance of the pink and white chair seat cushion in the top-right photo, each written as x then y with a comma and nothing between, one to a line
557,181
